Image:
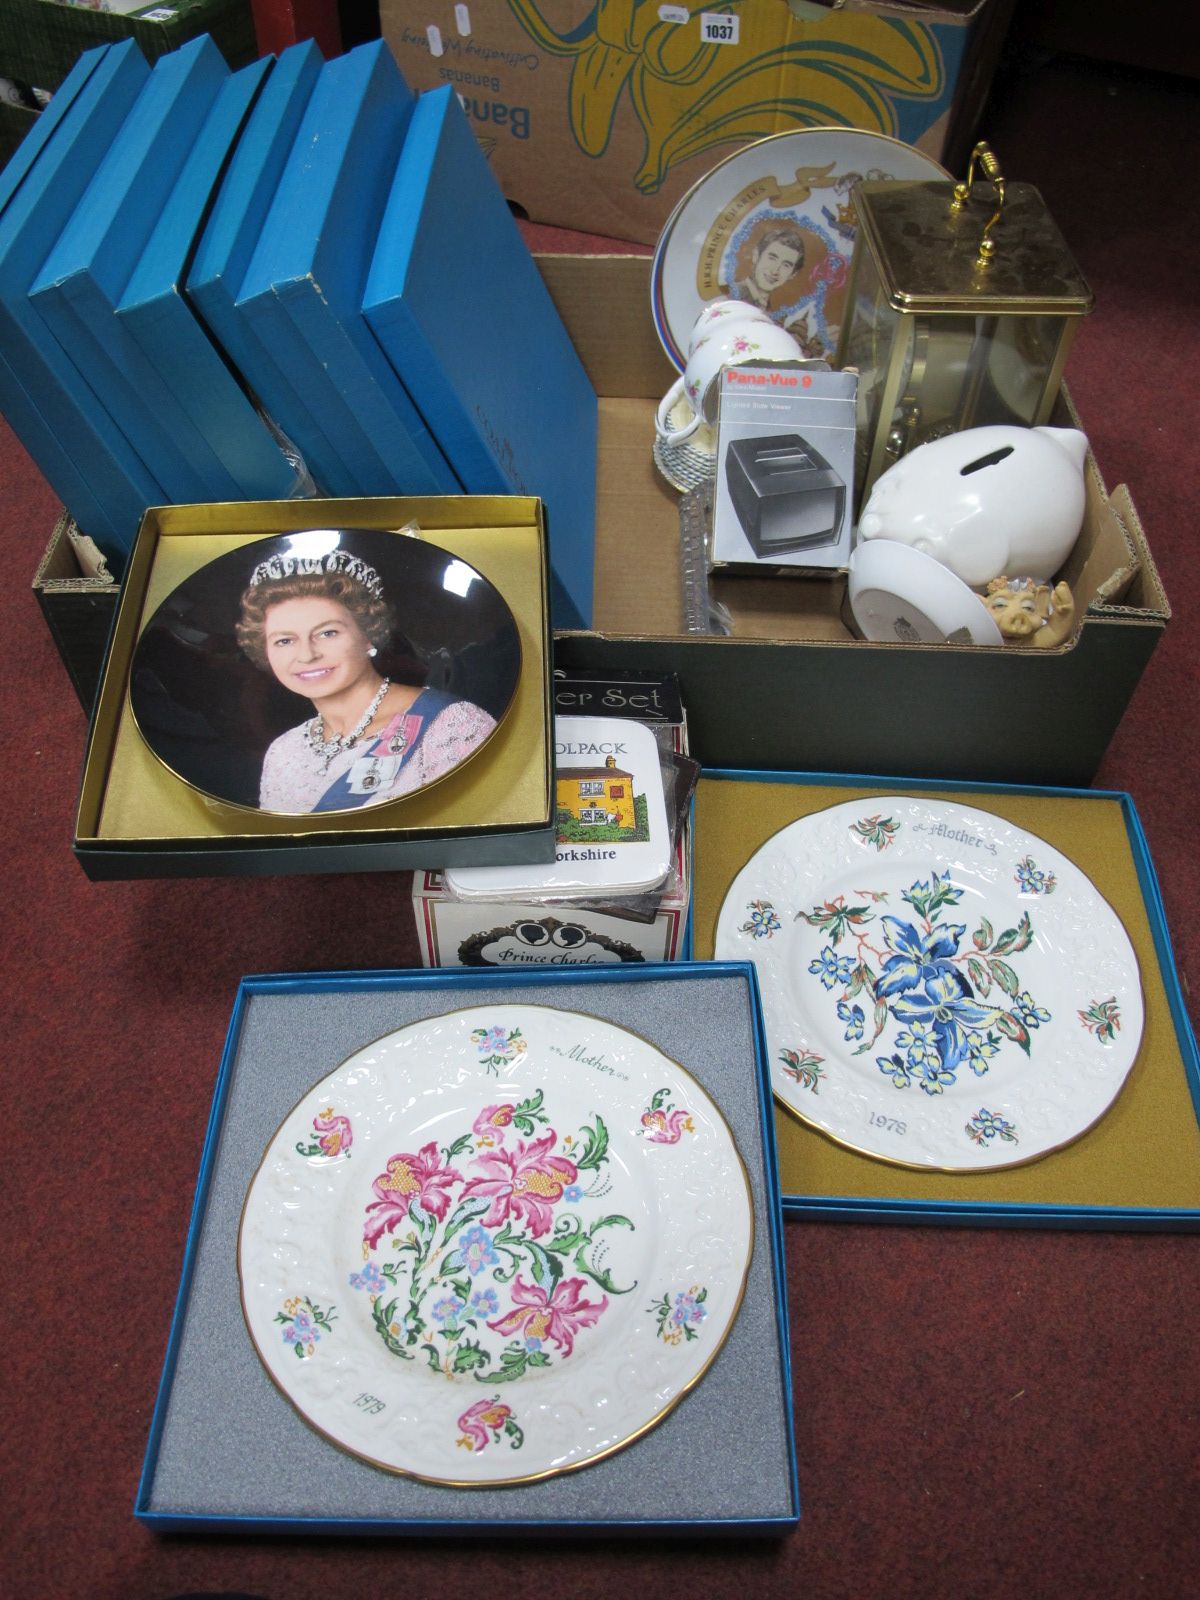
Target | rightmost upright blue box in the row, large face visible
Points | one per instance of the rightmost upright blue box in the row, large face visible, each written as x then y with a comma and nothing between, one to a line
463,314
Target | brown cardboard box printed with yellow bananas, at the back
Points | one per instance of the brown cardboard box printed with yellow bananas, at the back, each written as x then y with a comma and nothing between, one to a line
602,118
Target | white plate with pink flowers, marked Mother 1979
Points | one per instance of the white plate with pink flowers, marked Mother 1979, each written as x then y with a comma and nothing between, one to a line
495,1246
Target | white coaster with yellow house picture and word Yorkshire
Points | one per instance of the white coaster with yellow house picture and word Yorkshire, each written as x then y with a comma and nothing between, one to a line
612,820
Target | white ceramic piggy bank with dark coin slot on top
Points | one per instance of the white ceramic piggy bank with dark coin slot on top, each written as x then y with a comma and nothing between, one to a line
988,502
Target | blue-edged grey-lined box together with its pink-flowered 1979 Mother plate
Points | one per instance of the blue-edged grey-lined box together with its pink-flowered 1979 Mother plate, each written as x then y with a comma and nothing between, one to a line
551,1049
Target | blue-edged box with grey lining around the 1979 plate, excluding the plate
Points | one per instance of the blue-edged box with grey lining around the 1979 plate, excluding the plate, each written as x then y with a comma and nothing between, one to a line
233,1447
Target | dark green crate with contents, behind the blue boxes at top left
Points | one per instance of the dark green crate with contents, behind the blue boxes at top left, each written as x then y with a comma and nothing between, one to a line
41,41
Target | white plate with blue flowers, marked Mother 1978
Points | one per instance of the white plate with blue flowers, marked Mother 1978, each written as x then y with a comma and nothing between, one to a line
942,990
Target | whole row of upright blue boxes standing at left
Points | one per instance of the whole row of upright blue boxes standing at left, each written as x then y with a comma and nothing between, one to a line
297,278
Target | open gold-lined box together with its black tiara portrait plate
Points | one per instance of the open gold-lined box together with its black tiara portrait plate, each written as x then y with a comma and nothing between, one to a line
196,764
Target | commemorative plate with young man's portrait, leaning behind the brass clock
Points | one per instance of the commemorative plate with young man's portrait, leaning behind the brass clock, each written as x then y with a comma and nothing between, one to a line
774,225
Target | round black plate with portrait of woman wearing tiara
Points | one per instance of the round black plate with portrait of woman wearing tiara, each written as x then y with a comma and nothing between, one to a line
324,671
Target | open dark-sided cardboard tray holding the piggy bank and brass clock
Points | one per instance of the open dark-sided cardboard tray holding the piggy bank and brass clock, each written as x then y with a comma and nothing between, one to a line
793,689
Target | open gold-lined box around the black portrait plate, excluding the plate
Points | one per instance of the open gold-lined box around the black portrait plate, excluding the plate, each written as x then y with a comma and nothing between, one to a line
138,818
